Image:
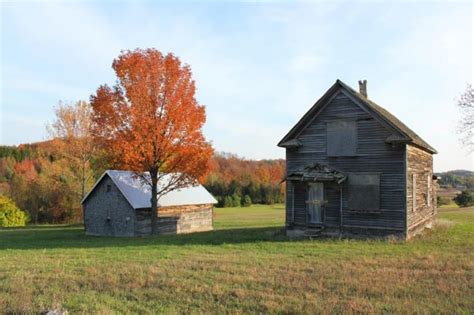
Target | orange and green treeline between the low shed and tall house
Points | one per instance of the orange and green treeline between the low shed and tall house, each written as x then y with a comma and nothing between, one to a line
236,182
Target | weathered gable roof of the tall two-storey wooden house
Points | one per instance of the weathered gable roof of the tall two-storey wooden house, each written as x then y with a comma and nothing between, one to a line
406,134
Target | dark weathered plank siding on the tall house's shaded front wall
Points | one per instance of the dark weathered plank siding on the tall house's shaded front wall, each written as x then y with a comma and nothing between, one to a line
373,155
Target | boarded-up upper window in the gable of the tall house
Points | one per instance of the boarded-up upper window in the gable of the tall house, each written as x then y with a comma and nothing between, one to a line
341,138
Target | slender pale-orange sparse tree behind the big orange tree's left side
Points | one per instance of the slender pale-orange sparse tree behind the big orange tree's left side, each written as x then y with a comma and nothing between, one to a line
72,136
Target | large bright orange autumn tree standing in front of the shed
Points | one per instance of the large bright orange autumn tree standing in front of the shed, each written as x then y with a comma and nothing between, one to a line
152,122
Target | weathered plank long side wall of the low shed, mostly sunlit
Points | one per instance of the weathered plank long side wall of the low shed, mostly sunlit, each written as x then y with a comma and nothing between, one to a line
177,219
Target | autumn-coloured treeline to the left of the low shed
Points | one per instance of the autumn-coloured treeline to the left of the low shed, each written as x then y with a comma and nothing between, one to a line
41,181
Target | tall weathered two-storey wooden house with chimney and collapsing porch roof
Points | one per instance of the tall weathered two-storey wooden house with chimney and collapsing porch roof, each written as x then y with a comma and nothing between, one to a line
354,169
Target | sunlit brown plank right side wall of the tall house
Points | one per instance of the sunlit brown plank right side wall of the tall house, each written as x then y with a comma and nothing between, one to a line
420,165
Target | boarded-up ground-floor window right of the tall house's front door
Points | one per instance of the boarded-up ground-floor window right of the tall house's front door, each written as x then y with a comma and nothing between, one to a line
364,192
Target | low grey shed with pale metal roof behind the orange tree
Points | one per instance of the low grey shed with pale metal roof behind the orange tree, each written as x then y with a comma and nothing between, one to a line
119,205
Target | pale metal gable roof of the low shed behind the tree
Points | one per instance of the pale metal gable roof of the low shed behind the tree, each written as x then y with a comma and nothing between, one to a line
138,193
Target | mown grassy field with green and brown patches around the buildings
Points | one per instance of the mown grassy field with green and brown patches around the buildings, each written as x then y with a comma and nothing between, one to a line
246,265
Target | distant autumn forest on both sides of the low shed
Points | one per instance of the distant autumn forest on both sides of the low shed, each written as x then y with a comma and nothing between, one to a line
44,182
